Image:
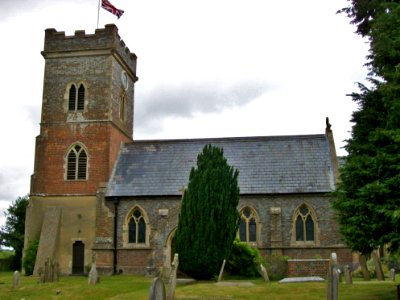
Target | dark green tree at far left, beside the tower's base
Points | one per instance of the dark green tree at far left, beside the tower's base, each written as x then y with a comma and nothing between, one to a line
12,232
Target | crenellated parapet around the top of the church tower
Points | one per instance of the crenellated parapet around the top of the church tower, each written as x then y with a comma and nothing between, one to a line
105,40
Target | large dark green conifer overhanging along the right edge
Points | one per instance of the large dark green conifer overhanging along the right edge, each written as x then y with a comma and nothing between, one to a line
368,196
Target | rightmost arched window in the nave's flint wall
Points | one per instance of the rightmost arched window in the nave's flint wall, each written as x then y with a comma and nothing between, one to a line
304,226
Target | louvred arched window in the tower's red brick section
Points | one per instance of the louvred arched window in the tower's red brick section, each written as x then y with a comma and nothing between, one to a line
77,163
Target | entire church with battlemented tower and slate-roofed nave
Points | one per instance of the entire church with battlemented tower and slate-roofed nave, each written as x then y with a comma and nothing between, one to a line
98,194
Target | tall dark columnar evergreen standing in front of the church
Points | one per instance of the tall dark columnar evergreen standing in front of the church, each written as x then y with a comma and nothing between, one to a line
209,219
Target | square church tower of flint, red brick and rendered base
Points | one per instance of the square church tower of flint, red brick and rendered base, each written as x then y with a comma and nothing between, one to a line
87,112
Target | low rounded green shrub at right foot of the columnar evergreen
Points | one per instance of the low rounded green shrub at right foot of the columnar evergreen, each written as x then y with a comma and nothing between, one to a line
244,260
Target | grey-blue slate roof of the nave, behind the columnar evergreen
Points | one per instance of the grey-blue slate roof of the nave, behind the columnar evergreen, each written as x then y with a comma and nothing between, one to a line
267,165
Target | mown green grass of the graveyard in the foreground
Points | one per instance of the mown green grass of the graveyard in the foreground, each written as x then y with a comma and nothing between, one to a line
135,287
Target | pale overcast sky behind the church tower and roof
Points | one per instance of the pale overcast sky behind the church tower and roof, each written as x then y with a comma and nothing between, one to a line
210,68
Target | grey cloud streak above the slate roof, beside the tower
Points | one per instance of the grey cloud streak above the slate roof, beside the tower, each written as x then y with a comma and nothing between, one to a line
186,100
